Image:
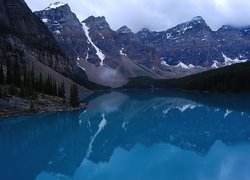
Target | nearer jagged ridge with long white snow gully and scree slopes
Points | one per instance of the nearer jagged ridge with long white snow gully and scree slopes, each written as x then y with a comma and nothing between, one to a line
107,57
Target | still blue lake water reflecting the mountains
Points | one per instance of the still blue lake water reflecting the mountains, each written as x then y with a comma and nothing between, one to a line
132,135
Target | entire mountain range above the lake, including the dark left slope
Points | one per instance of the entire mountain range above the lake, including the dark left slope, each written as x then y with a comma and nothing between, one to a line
90,52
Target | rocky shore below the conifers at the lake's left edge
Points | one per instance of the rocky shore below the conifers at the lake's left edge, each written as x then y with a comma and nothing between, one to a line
12,105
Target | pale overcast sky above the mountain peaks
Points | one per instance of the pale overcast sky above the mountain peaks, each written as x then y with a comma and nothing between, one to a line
157,14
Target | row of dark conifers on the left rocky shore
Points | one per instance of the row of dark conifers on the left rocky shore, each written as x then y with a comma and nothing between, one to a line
28,83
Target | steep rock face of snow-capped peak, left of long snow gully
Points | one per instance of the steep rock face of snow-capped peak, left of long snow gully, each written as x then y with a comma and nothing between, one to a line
67,30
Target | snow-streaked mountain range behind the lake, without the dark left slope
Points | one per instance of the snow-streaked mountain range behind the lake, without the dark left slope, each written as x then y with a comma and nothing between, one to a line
111,58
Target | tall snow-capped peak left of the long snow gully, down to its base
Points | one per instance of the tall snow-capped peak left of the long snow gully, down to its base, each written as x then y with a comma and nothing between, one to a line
70,36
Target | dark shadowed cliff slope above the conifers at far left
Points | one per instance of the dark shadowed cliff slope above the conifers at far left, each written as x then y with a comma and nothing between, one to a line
25,37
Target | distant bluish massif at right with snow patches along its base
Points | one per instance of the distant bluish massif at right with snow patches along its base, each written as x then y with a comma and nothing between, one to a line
193,43
